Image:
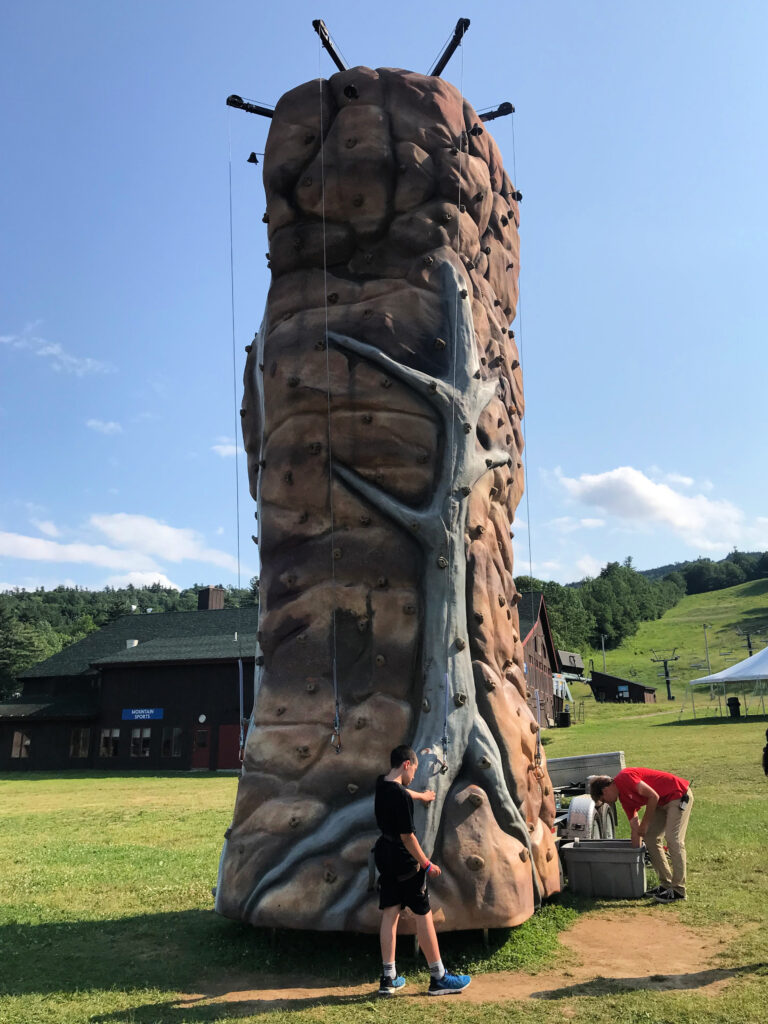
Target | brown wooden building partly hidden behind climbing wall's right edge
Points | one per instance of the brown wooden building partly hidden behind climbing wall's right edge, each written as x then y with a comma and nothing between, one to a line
541,660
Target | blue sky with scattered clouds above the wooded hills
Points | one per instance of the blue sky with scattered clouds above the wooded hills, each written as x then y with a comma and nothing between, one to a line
642,153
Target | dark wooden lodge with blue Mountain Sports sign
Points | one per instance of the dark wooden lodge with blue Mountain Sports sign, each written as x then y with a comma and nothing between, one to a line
158,692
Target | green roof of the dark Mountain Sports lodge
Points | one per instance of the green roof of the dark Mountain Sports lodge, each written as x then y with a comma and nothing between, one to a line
109,644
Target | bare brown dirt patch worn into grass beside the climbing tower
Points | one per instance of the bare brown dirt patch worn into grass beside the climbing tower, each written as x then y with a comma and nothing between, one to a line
605,953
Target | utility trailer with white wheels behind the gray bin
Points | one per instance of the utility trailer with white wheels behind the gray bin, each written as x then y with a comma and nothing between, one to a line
577,815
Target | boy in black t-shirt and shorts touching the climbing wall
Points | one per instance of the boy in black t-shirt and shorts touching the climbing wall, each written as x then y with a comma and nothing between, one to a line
404,869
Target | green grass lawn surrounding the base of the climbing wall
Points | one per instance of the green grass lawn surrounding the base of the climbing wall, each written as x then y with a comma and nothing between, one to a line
106,899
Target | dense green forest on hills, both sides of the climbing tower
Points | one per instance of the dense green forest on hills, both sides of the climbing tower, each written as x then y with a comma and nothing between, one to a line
36,624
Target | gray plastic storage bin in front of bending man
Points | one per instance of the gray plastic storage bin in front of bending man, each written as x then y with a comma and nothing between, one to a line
609,868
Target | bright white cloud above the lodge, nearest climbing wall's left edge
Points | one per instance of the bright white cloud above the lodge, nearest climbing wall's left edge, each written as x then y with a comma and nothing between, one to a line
150,537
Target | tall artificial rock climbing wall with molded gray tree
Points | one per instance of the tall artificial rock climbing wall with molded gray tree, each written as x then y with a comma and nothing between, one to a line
381,418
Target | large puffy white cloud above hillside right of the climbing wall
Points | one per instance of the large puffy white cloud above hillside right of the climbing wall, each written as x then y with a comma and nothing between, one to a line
631,496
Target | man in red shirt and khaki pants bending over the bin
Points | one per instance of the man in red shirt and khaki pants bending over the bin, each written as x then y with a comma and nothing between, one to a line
668,803
